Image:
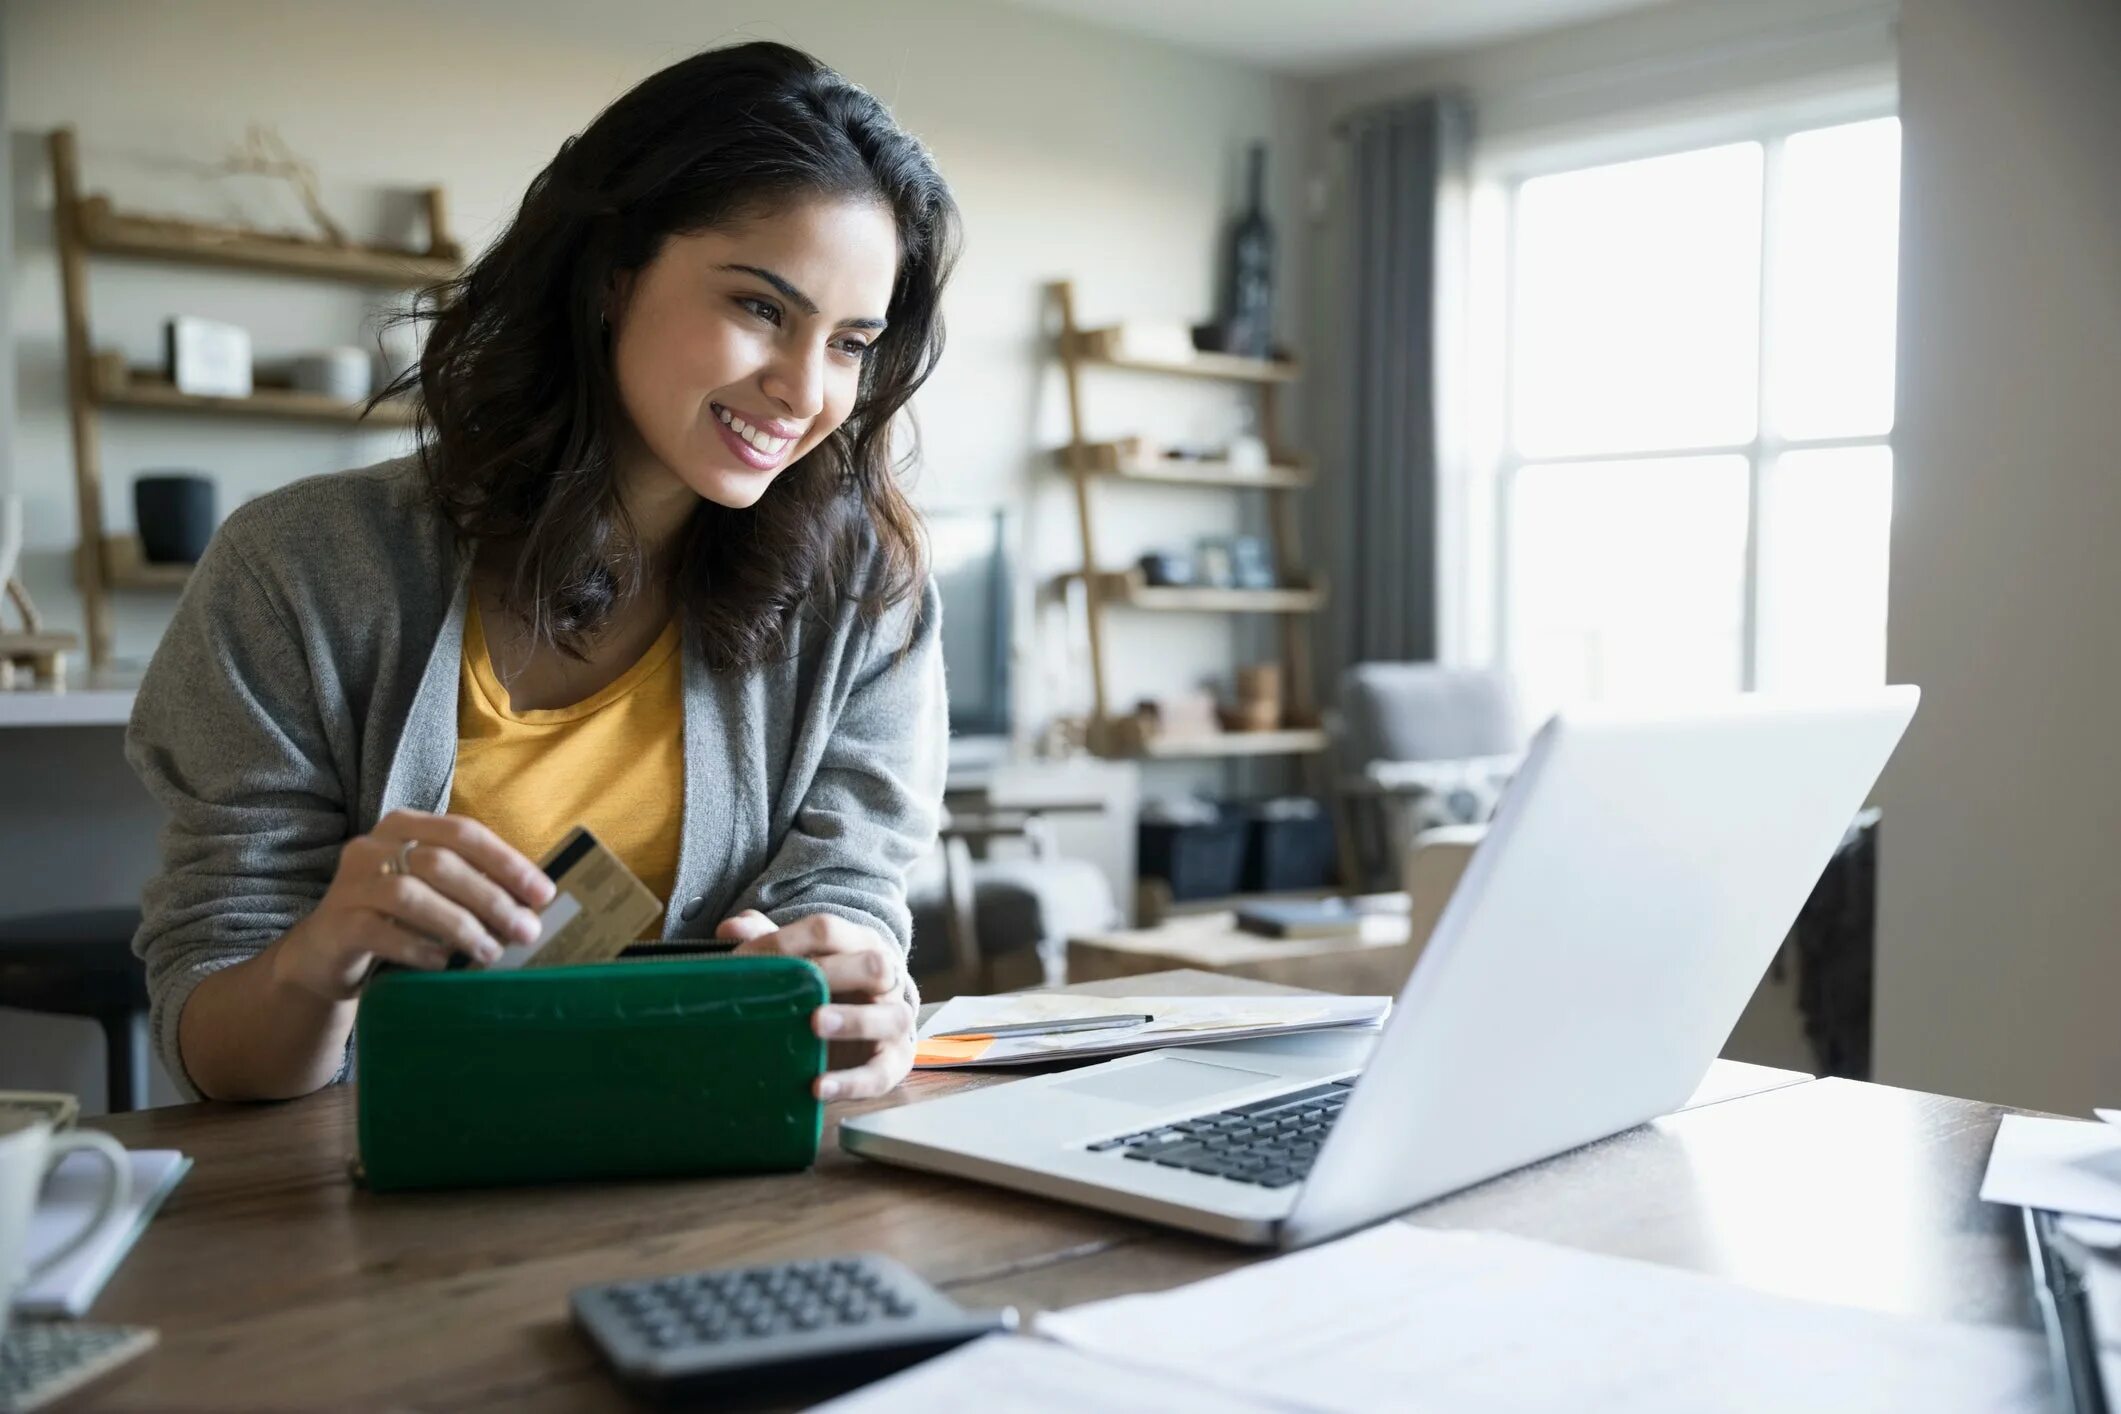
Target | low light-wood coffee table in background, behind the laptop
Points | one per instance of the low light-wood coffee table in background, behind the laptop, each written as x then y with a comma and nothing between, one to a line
1373,964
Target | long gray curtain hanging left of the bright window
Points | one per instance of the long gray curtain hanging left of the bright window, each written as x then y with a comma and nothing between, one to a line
1403,164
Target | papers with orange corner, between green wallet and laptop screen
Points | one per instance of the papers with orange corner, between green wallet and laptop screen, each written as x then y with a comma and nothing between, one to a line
956,1038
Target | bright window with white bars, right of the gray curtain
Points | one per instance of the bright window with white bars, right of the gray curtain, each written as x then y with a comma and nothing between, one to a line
1691,476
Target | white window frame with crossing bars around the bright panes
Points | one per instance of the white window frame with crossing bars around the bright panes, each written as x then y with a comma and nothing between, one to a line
1479,474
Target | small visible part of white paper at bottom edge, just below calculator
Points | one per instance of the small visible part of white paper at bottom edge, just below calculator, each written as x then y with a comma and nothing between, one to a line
1013,1375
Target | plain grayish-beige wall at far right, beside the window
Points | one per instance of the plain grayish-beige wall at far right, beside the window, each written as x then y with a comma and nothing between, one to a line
2001,900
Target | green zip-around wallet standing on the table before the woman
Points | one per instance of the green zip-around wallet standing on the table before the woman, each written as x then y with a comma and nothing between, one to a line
603,1072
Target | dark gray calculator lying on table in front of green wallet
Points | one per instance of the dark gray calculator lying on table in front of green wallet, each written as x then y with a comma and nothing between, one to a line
828,1322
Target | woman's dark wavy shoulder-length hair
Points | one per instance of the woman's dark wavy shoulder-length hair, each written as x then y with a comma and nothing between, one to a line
519,410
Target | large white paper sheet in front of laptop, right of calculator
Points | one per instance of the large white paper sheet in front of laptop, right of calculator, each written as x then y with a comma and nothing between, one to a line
1479,1324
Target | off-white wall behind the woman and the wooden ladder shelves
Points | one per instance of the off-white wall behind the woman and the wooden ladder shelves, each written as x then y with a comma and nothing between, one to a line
1072,152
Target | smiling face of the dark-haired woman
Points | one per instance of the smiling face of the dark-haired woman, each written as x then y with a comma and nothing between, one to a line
739,351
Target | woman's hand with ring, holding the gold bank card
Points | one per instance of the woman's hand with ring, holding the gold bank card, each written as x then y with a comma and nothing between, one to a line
463,891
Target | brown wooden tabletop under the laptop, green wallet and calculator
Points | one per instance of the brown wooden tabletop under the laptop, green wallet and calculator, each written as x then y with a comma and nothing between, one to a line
277,1284
